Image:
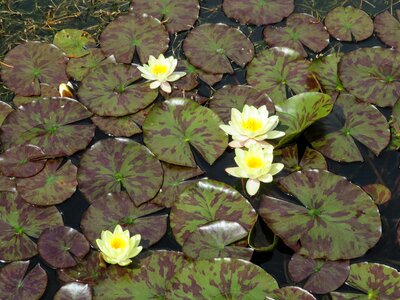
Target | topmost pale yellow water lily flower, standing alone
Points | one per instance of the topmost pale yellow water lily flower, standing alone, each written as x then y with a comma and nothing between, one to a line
161,71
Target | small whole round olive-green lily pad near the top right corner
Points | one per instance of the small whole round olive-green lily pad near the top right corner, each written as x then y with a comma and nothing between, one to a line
346,23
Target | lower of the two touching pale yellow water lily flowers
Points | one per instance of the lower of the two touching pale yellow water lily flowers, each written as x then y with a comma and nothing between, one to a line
256,165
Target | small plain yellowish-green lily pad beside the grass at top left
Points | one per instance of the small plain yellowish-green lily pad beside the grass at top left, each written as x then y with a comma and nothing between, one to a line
74,42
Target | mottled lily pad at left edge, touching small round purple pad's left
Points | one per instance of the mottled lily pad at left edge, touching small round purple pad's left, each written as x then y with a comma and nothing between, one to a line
19,222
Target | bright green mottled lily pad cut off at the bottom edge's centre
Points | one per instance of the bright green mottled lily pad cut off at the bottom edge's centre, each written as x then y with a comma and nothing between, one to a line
221,278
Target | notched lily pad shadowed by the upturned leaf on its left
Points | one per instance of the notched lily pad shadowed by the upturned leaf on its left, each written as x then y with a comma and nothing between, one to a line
350,120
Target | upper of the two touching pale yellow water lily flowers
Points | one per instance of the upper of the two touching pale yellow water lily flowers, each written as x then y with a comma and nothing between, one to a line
252,126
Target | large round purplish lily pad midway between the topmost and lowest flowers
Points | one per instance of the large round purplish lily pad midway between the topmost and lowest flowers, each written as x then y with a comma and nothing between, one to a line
115,164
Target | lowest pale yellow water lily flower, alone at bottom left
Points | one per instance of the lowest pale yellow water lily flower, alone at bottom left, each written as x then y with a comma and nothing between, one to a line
118,247
